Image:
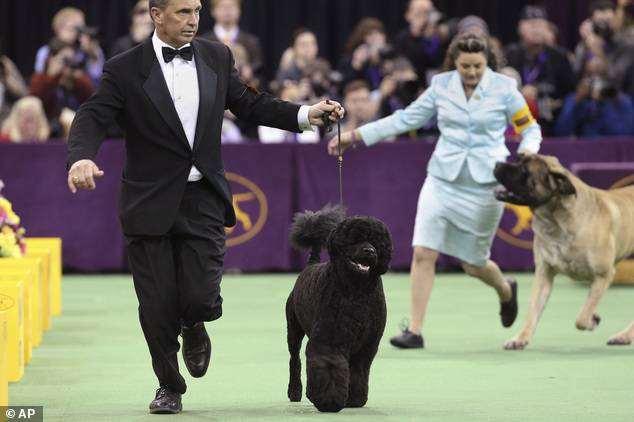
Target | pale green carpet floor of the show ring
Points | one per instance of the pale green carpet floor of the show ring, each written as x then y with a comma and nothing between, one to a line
93,365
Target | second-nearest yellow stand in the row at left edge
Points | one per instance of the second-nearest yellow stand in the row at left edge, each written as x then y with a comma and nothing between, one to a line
11,301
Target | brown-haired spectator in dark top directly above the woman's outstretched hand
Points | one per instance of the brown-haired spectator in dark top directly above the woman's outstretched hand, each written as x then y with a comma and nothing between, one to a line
367,48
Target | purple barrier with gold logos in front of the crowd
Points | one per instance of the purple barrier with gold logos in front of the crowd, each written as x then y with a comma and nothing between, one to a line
270,183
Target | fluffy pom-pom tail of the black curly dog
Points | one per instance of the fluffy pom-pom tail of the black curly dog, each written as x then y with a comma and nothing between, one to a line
310,229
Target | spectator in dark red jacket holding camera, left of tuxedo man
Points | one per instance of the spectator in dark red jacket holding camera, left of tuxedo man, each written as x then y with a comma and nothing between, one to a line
62,87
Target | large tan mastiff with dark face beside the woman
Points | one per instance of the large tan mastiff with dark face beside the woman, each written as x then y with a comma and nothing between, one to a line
580,231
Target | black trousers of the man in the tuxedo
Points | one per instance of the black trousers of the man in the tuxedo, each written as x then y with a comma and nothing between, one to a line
177,277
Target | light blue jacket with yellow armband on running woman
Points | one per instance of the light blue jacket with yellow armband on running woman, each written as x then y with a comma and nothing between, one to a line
471,131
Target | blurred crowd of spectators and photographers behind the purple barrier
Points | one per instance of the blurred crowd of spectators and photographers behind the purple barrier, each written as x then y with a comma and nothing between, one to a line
581,93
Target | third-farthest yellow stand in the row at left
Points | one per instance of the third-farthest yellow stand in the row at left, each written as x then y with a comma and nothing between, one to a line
35,266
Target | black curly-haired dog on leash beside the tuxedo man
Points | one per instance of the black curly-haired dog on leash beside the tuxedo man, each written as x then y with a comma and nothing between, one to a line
339,305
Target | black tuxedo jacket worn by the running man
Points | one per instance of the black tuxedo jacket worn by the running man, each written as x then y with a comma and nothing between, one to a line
158,159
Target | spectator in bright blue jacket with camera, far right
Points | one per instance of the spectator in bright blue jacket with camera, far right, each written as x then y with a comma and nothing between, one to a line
597,108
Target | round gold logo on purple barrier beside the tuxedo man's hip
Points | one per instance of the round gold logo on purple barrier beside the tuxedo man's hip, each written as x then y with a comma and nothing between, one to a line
251,207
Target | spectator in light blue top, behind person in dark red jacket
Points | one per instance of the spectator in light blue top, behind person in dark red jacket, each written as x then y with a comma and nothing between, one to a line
66,24
